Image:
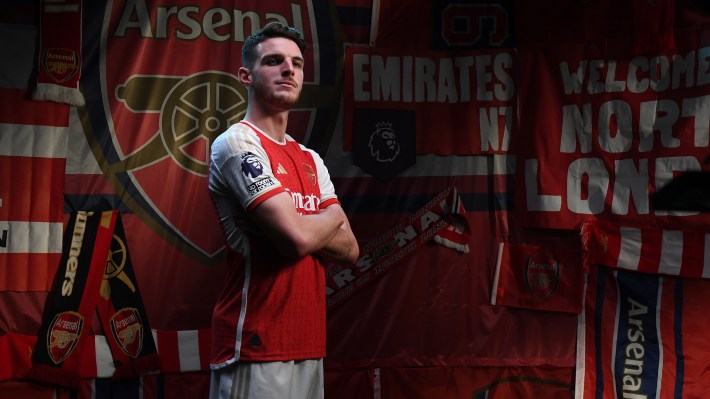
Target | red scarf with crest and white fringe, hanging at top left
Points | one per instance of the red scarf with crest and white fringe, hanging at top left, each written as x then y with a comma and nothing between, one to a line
59,53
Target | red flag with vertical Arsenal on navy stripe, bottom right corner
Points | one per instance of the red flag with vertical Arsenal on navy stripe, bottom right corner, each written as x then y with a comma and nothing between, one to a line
641,336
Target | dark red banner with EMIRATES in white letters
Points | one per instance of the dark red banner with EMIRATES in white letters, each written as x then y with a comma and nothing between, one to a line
445,102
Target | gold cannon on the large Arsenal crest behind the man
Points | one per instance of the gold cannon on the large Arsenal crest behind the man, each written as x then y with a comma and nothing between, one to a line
194,110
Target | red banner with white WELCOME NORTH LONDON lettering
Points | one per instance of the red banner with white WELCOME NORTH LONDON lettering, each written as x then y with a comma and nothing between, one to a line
605,129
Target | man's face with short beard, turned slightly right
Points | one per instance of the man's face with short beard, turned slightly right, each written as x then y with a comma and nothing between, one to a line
277,74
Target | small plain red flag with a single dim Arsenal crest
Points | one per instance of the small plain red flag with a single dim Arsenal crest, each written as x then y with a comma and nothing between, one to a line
538,278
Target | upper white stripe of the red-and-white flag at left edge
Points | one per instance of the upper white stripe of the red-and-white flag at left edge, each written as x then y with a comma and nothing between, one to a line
33,141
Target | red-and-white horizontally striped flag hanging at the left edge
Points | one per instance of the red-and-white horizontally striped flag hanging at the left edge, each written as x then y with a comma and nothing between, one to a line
33,145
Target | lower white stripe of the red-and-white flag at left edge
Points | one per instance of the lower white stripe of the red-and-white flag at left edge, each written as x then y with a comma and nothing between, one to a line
32,237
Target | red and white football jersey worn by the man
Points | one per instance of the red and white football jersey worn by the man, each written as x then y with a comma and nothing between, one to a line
272,308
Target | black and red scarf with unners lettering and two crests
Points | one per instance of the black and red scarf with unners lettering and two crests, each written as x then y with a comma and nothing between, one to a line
95,276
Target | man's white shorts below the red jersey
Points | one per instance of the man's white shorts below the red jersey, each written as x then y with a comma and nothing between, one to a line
302,379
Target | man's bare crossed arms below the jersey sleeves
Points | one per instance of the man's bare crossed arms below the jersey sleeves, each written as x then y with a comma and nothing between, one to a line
326,234
